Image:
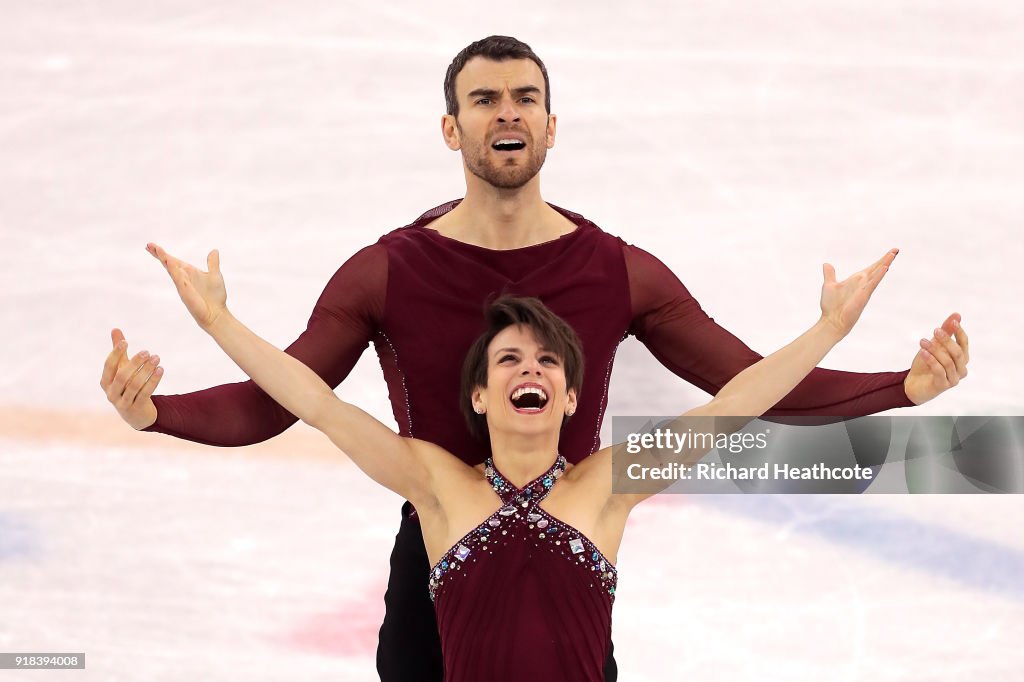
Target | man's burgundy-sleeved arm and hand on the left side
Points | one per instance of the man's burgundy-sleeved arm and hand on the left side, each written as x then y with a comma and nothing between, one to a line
343,324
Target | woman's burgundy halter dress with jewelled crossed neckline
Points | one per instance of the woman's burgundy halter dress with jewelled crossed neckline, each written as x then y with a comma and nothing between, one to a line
524,596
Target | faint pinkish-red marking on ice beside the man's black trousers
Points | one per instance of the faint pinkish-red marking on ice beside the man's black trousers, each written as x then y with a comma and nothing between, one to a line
350,629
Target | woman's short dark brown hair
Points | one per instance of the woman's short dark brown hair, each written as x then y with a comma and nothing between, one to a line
553,333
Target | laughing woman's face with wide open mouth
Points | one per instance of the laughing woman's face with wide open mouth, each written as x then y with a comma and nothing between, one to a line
526,392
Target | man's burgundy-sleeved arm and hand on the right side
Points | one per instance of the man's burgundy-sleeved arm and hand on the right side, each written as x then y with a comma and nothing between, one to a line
670,322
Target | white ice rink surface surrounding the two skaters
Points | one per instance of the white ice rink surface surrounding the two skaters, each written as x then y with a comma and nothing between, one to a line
744,144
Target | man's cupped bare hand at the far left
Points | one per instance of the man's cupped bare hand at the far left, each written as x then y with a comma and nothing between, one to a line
130,382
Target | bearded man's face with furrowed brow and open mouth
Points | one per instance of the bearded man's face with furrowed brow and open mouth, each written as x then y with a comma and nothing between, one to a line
503,130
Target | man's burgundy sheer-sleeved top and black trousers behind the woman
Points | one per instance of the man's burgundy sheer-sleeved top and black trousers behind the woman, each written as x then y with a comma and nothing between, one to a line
419,297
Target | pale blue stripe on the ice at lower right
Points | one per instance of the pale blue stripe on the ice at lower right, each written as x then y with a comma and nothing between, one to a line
972,562
